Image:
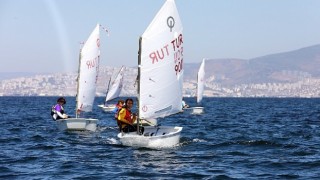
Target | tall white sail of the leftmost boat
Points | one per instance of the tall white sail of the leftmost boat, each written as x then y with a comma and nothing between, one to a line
88,71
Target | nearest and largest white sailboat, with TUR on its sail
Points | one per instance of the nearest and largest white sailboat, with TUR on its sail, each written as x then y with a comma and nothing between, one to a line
160,77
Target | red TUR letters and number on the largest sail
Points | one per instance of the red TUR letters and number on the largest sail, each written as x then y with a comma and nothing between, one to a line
177,48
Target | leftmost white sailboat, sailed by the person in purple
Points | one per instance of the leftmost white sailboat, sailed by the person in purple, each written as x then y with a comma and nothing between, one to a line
89,58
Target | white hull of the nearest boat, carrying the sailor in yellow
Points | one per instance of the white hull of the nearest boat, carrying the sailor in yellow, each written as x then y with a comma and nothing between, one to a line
152,137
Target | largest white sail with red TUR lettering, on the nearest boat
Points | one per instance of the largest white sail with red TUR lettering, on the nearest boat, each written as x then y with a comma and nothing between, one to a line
160,67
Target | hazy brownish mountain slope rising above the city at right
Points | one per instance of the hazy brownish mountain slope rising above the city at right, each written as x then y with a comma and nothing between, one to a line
286,67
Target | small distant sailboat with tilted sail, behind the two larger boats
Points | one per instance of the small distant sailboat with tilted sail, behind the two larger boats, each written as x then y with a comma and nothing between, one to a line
113,90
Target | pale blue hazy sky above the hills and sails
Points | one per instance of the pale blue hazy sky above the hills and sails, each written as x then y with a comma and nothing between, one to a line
44,35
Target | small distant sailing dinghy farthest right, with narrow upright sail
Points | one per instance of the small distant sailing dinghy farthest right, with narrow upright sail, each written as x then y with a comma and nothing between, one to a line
200,89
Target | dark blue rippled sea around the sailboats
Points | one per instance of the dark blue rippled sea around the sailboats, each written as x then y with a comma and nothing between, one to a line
235,138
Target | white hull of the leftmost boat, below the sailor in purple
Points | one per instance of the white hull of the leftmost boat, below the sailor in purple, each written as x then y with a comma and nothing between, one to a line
77,124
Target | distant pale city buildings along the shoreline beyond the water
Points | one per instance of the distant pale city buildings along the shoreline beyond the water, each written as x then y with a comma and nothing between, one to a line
64,84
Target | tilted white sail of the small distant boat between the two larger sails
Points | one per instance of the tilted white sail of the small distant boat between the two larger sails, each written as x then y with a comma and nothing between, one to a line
116,86
